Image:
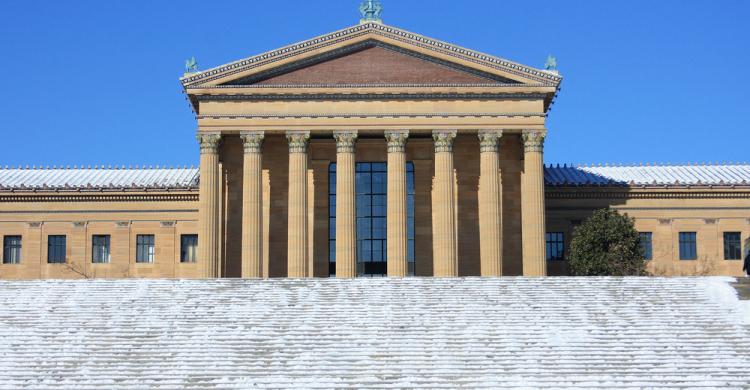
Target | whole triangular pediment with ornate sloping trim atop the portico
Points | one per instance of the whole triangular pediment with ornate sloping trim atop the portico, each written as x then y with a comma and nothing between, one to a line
371,54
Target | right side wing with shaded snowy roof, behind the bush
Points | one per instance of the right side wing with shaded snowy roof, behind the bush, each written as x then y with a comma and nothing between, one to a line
693,220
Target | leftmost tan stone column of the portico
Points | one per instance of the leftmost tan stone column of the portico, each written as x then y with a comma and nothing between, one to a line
208,206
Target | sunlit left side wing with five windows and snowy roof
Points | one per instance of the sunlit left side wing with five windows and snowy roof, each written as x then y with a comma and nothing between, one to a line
98,223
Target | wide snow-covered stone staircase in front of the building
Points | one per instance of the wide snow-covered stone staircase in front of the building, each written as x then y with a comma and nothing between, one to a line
552,333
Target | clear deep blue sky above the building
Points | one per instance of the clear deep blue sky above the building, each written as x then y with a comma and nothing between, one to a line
96,82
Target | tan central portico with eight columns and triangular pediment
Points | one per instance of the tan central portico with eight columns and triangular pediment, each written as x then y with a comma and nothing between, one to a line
470,126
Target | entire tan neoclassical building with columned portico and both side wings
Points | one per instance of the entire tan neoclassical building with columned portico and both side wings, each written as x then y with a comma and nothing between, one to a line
369,151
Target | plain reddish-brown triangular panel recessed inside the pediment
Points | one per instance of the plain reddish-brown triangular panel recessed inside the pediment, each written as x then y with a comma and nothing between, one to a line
371,63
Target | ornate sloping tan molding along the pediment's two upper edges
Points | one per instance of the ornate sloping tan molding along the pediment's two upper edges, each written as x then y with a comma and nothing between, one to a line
377,32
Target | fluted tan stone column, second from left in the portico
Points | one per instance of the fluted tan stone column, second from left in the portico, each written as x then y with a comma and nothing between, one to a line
252,205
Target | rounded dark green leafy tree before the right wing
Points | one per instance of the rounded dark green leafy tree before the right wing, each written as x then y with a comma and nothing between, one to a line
606,244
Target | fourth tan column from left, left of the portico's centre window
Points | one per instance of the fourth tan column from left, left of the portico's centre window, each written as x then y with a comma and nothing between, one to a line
346,220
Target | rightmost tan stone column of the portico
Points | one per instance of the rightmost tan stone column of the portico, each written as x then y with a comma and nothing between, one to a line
532,204
